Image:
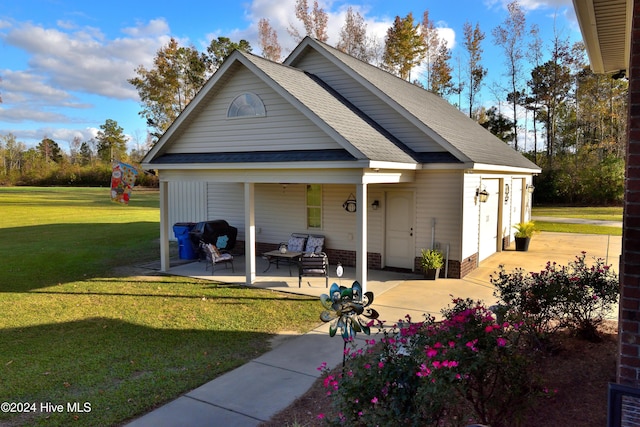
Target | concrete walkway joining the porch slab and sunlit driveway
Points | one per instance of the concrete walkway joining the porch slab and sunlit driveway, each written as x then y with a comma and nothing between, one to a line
256,391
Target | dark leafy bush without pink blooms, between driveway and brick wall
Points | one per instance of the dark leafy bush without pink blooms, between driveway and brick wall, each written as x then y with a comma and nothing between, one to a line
577,296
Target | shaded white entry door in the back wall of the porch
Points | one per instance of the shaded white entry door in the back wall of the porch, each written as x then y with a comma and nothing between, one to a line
399,229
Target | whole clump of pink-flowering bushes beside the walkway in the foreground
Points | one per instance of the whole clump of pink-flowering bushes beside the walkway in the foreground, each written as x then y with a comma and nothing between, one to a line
466,368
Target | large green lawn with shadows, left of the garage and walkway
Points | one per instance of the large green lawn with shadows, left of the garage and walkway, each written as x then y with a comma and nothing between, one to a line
74,330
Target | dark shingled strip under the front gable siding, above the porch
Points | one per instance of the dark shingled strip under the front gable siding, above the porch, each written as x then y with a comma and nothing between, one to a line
256,157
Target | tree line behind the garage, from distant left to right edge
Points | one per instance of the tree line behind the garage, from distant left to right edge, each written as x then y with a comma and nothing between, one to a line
548,104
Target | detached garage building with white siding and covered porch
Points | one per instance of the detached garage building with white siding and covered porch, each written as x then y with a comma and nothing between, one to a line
276,149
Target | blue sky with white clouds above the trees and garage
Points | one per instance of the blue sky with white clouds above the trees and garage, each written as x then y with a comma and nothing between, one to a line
64,64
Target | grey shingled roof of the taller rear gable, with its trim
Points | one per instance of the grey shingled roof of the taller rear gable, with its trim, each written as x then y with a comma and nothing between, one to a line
461,135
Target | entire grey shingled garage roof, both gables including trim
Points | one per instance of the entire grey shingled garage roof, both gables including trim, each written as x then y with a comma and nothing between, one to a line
360,137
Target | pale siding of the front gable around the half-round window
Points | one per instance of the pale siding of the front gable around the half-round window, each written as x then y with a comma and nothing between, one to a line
283,128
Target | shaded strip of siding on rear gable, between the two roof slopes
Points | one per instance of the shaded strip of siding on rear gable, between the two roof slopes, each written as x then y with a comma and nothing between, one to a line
384,115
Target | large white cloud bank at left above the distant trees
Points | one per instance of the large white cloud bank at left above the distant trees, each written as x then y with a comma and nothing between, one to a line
82,60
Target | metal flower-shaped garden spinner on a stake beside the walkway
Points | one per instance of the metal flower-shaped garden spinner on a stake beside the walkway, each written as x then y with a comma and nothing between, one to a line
344,308
